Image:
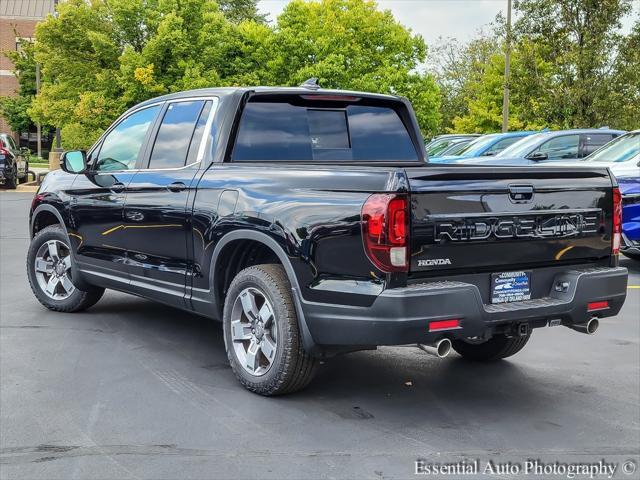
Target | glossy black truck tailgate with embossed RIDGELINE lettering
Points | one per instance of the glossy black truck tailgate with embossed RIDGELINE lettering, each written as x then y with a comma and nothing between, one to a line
497,218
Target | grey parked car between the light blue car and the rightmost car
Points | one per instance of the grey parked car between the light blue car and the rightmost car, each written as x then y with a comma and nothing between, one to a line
549,147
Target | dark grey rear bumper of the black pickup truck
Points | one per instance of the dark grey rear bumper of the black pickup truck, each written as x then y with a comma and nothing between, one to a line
401,316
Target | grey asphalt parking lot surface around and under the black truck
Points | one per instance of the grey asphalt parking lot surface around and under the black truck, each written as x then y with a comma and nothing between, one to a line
133,389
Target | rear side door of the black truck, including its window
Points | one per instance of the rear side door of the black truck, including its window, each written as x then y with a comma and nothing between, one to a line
156,219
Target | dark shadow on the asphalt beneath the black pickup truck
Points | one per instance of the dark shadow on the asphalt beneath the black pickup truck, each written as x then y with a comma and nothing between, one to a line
351,386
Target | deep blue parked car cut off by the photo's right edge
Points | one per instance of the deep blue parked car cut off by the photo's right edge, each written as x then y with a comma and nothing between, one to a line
622,157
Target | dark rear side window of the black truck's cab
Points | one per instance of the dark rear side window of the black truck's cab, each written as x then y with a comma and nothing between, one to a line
173,144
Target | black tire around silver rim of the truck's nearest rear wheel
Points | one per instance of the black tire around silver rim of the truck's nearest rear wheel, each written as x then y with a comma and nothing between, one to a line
292,368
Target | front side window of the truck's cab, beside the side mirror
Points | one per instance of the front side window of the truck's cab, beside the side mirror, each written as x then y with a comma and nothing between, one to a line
121,147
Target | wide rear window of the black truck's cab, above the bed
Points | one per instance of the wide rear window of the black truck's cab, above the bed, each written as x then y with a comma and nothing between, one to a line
280,131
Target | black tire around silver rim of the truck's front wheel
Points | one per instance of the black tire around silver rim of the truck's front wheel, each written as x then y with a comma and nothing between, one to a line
78,300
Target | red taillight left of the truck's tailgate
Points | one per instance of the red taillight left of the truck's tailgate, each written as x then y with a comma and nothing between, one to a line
385,231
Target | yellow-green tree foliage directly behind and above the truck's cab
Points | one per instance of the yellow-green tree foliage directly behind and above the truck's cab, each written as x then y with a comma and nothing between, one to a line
100,57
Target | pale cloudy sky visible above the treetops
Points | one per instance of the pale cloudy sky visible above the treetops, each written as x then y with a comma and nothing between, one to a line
460,19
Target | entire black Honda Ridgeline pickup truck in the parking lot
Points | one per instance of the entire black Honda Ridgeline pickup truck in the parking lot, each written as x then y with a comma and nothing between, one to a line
309,222
